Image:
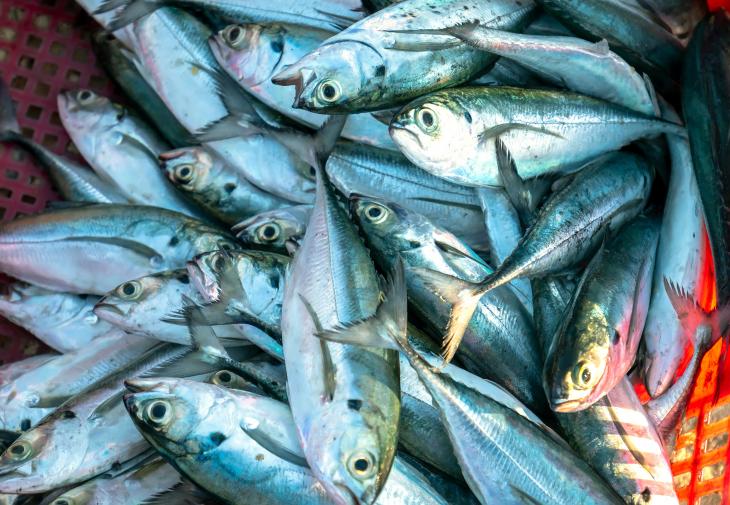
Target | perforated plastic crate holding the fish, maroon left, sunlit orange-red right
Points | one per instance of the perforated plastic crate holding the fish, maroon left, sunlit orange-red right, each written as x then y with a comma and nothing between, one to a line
44,48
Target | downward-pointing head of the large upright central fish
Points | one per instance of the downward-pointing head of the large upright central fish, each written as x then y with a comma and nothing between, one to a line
350,457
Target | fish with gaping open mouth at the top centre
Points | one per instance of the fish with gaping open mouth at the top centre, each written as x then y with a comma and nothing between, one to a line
383,60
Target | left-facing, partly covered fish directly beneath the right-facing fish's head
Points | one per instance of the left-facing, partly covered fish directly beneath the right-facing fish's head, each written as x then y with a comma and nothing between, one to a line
140,306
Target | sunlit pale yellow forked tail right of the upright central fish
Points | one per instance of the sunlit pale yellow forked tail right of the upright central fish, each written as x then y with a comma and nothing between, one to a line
463,296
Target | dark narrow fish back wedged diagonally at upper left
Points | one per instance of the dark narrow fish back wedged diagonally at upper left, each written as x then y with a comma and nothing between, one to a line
119,63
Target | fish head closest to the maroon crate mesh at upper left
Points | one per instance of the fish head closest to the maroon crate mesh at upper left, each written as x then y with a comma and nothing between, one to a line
83,111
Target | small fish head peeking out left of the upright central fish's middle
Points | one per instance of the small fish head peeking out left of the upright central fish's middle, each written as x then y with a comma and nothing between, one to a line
270,229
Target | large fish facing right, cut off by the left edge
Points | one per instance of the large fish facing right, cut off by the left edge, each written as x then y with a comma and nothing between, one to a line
101,245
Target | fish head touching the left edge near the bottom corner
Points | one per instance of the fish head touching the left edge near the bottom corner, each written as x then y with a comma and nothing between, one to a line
44,455
